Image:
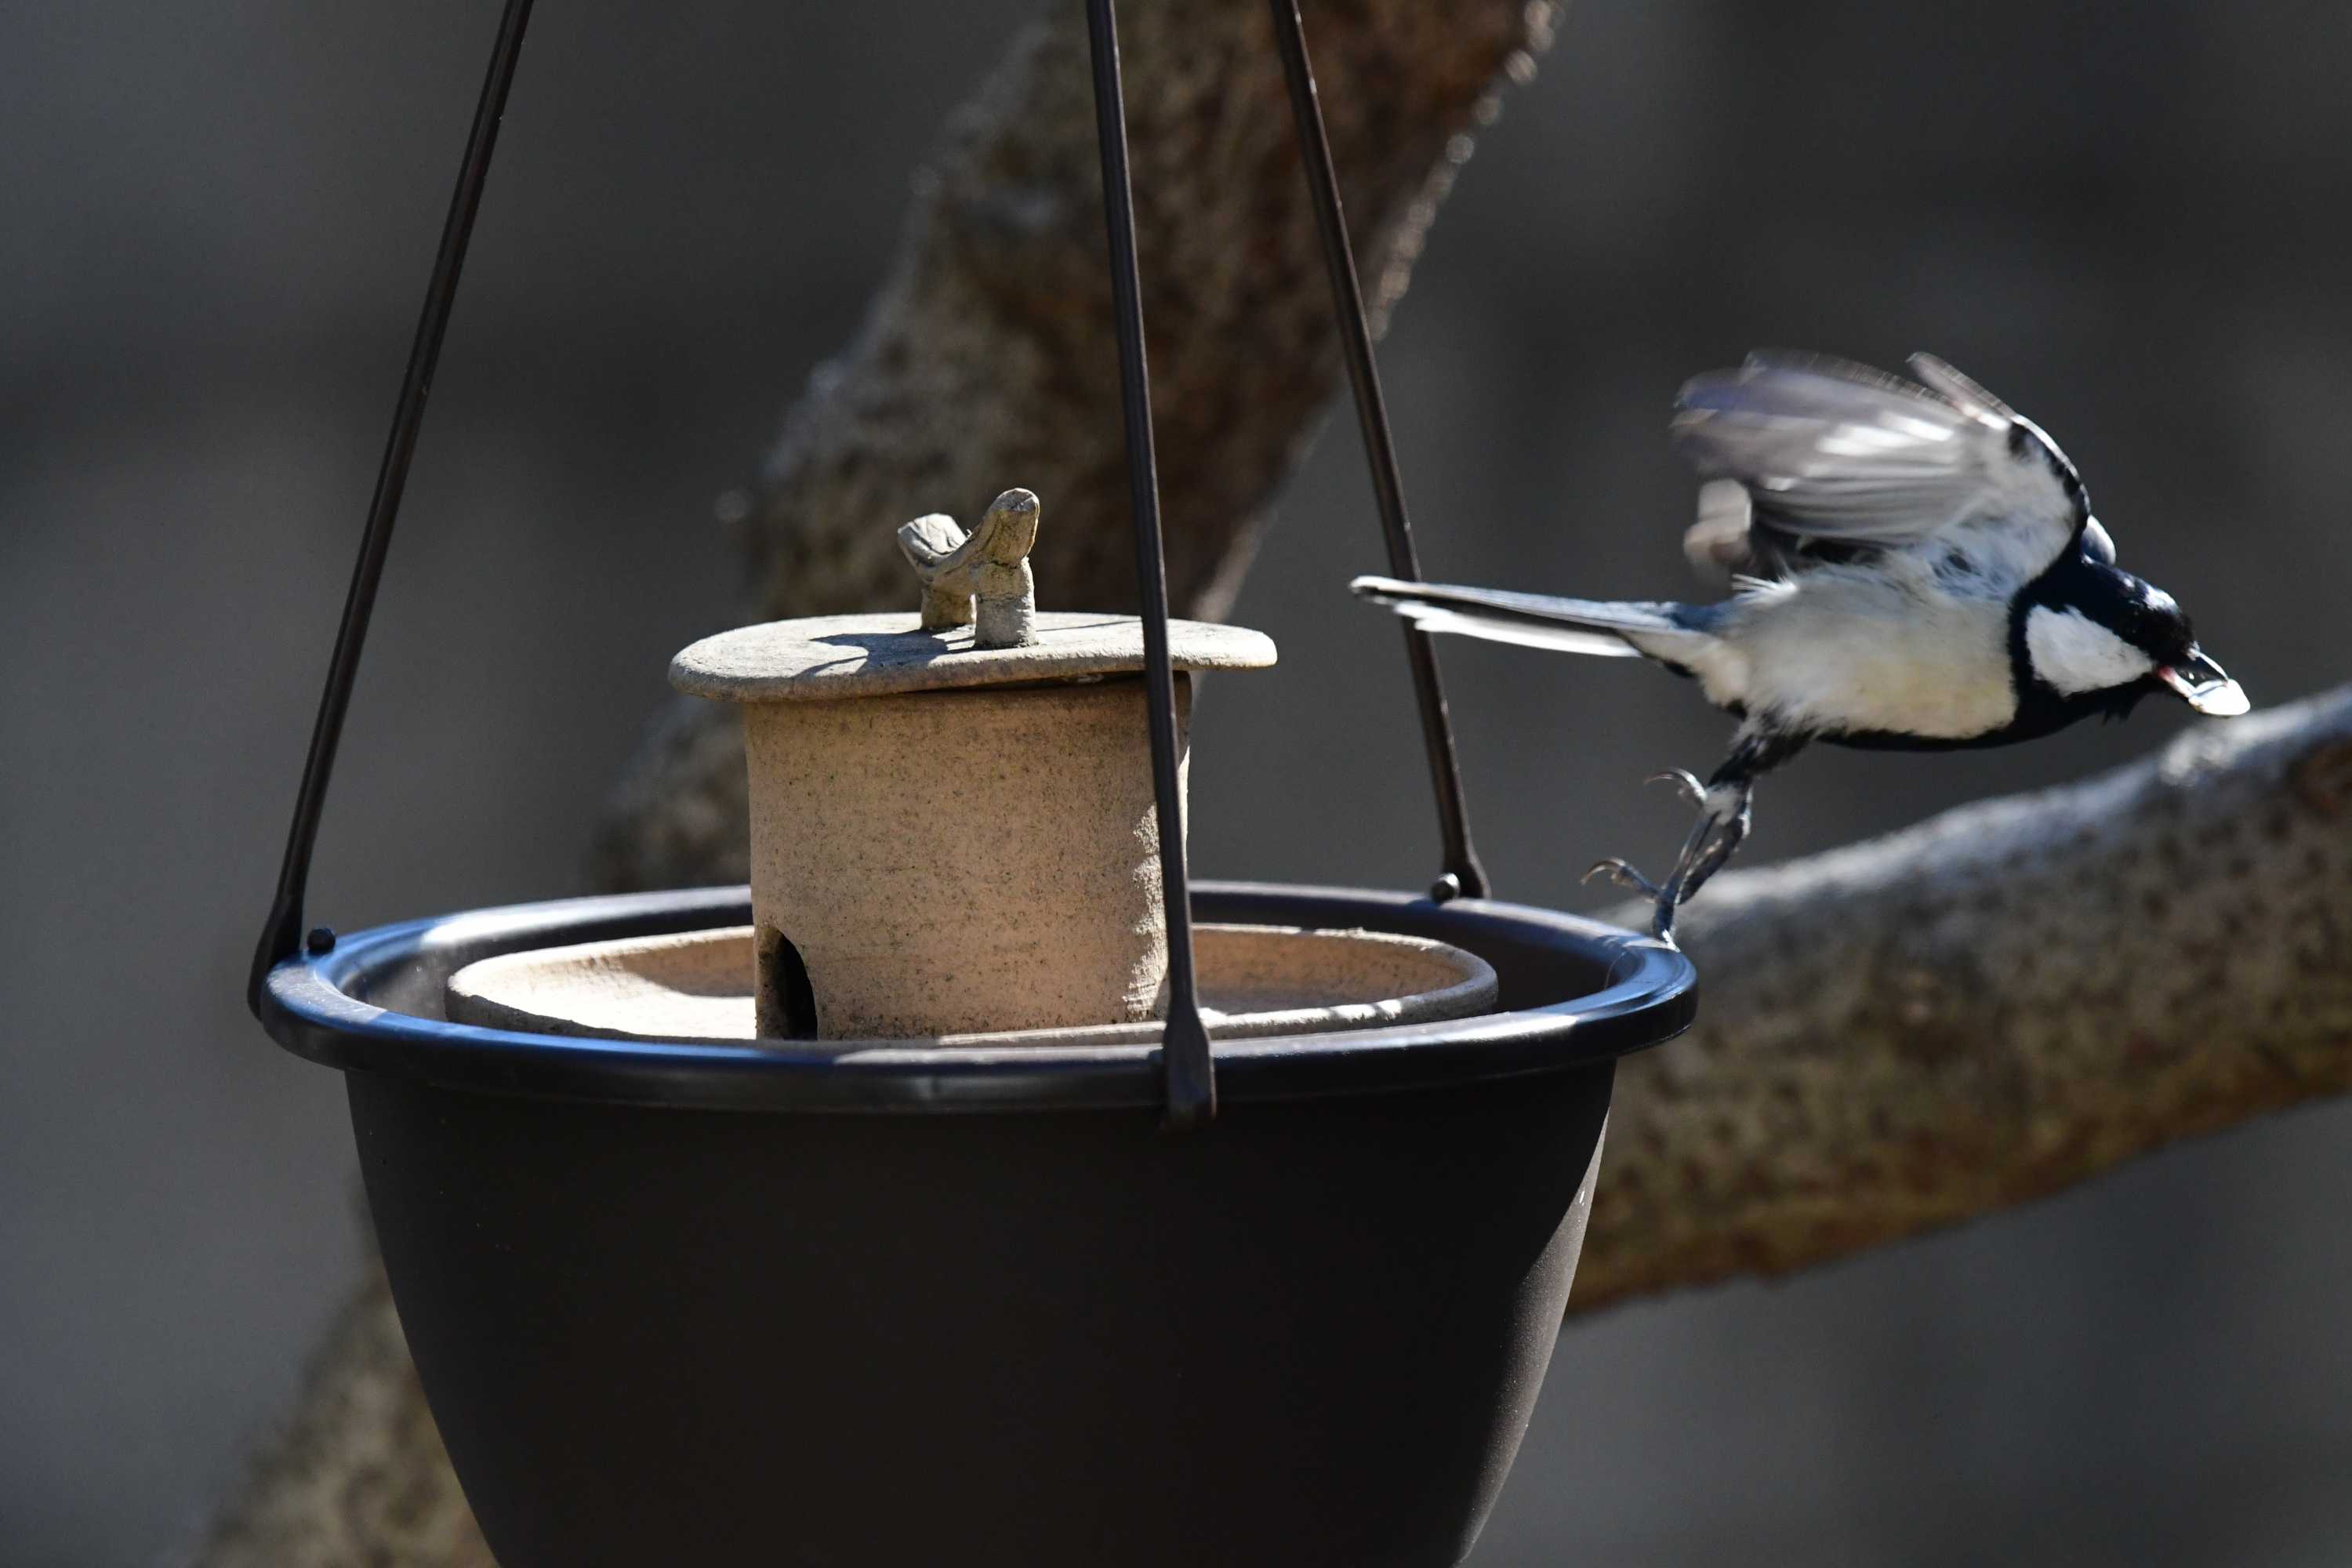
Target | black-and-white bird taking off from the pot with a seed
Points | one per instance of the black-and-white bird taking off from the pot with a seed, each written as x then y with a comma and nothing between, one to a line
1911,565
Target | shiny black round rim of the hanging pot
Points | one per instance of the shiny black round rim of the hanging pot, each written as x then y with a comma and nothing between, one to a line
1629,993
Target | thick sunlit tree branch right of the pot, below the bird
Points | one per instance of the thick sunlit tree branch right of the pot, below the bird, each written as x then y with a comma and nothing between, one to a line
1996,1005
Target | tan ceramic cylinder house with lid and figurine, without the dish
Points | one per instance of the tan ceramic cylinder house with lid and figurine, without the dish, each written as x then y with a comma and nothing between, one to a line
954,831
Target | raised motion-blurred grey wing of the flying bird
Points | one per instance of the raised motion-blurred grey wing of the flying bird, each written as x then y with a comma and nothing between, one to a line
1845,455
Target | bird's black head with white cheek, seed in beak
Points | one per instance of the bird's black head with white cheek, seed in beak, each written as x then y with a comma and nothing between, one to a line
2094,638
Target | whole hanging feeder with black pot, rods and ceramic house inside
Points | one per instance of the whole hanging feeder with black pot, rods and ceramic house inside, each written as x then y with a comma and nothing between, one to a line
975,1188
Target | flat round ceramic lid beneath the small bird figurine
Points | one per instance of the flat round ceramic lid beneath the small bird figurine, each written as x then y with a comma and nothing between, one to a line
843,657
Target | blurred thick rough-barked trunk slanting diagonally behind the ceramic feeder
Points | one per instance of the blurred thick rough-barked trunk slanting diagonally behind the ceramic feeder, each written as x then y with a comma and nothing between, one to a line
984,363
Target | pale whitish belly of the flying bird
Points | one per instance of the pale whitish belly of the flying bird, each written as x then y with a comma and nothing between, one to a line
1850,652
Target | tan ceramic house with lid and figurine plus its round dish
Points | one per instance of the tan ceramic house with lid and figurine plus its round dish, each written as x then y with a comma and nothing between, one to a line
954,836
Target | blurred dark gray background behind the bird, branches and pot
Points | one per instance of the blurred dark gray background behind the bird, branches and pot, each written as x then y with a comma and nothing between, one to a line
2130,220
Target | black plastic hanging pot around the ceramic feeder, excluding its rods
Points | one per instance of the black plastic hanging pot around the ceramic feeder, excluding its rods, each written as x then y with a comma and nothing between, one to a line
742,1306
